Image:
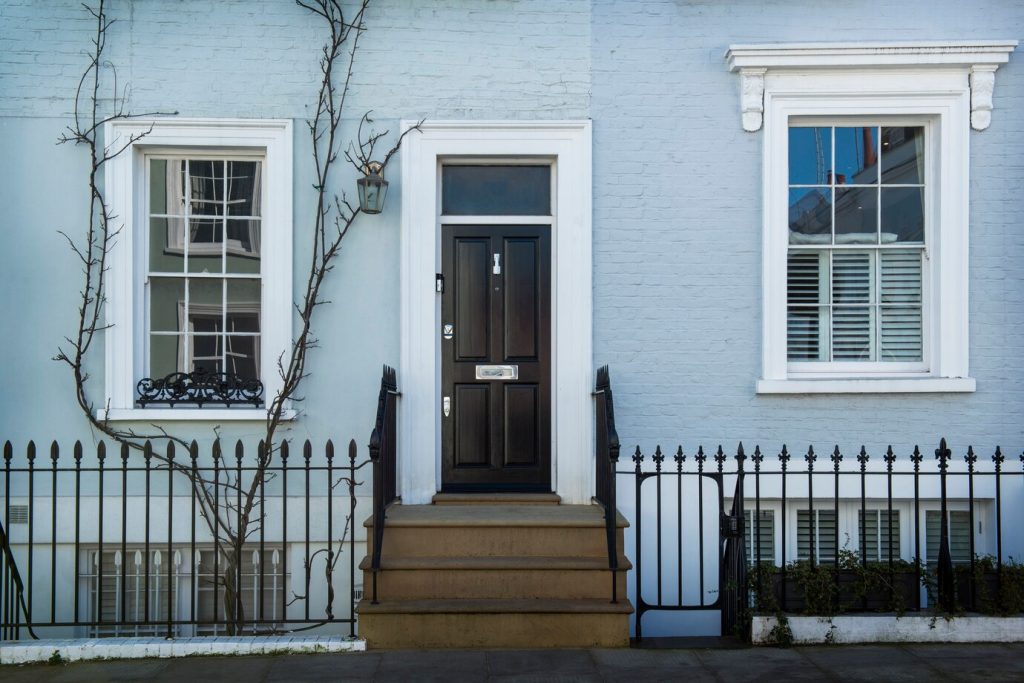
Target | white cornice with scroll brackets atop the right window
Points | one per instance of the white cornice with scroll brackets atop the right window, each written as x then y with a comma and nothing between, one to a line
980,59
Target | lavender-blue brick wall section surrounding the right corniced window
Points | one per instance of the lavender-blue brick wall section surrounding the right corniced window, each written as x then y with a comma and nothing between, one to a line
677,232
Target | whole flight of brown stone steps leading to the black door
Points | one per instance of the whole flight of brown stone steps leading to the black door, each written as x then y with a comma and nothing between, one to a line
504,571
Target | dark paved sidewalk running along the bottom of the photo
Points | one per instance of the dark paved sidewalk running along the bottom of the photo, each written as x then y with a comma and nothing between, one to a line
851,663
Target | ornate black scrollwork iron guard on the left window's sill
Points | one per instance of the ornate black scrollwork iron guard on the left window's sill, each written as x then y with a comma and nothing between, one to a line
200,389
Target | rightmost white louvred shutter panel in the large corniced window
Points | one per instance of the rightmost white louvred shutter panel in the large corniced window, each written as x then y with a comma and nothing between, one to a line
901,306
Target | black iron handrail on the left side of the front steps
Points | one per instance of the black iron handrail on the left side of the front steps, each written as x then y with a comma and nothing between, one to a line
383,454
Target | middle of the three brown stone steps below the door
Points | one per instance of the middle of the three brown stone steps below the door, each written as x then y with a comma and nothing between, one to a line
474,578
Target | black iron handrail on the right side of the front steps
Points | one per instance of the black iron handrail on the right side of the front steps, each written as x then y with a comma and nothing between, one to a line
607,447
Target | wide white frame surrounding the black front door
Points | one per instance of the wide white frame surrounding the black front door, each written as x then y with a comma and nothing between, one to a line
569,143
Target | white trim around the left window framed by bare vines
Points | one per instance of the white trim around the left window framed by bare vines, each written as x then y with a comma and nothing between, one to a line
124,183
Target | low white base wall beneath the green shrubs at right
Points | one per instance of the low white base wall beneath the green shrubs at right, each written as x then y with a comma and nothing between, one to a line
889,629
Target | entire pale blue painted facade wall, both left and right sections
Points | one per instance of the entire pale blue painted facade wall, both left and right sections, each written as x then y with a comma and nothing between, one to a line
677,184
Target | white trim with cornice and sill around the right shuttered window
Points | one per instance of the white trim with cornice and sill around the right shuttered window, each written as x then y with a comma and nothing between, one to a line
948,86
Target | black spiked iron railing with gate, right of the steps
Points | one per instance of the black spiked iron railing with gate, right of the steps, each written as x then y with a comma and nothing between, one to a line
888,534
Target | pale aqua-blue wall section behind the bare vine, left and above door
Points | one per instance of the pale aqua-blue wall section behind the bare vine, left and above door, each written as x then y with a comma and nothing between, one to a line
252,59
